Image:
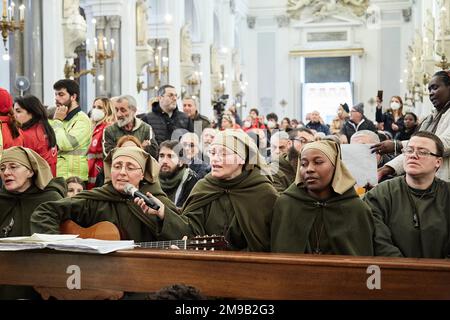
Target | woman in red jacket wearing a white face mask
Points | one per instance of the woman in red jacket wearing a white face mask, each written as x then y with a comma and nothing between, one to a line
102,115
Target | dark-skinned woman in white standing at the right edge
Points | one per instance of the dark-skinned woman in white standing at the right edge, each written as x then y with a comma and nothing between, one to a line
438,122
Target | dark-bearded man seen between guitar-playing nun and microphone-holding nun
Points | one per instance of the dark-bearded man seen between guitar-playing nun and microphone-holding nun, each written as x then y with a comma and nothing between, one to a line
176,179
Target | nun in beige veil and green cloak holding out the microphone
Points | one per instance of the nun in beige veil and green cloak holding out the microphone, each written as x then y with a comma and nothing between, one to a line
234,200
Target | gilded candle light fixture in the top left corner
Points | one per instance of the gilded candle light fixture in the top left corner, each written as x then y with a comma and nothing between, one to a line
9,24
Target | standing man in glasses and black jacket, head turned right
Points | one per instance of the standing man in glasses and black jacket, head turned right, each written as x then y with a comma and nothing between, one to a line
165,118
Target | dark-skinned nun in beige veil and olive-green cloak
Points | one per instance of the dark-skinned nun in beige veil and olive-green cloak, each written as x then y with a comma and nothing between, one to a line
321,213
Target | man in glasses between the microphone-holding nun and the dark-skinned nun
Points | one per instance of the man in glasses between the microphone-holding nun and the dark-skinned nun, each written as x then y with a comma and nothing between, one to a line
284,166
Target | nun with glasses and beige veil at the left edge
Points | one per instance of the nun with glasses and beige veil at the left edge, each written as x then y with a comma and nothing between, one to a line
27,182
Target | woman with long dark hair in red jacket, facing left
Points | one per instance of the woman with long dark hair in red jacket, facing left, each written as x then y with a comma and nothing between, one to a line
38,134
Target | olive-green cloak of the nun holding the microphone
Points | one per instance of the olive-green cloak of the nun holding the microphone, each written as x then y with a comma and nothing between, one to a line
240,209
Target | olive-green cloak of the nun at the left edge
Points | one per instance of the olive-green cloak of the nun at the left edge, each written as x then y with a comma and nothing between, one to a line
16,208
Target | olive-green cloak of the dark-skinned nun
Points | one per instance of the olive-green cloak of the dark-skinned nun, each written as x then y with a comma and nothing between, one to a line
347,227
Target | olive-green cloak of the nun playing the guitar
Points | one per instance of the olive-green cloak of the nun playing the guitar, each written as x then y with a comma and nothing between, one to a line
102,204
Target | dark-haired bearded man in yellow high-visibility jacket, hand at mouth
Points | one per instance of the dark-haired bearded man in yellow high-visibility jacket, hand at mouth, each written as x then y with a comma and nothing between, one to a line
72,130
